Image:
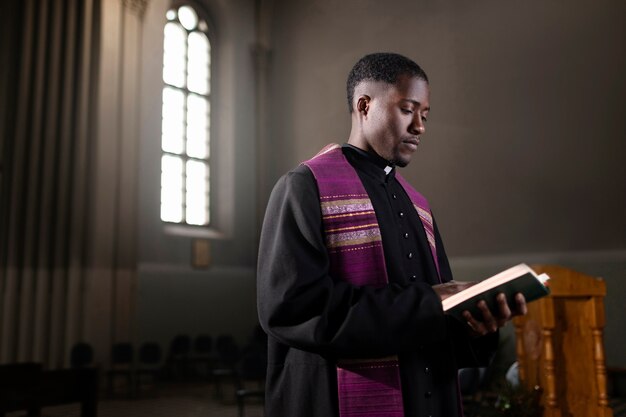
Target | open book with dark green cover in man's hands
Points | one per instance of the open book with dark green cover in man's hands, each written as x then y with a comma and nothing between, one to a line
517,279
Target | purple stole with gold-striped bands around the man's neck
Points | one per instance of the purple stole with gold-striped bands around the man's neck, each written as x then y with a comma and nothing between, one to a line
369,387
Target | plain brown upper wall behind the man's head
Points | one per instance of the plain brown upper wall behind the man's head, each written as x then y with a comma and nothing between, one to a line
524,145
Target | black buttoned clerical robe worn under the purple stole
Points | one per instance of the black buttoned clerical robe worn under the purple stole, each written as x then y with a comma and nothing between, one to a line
313,319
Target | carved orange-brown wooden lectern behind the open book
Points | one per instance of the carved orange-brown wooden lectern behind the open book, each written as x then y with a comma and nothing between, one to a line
560,346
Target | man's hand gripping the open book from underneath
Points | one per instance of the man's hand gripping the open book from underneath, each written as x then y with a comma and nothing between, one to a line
490,322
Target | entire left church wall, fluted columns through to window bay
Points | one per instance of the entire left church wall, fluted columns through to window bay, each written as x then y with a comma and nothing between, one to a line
83,254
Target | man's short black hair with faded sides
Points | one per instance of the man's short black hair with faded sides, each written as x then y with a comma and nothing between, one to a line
381,66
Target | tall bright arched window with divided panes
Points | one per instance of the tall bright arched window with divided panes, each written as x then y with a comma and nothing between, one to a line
186,111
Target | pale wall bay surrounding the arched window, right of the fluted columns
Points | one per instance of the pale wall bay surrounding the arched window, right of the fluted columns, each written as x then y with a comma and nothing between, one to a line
174,297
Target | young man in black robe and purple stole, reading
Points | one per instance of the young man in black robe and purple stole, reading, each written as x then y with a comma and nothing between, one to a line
352,271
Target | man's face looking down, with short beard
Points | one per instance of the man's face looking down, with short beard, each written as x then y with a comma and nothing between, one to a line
395,119
